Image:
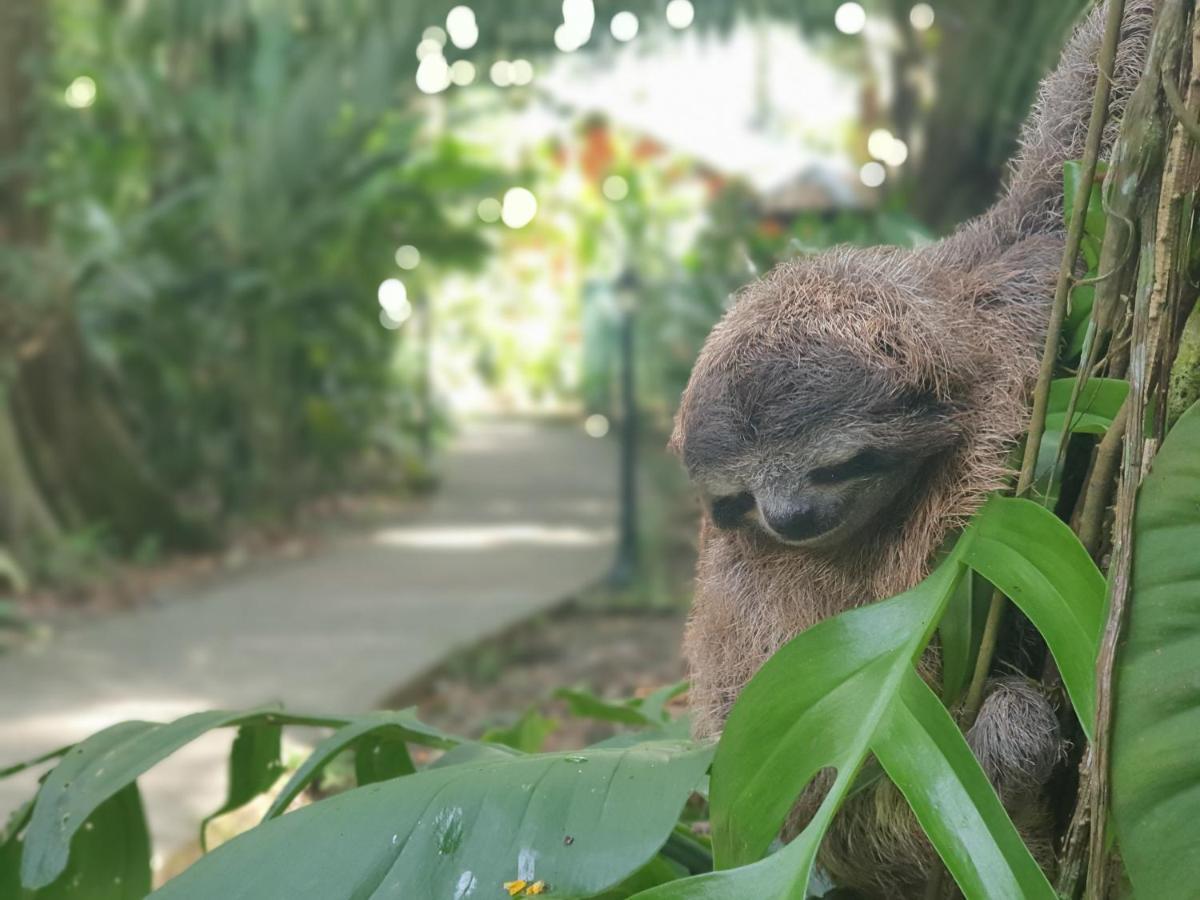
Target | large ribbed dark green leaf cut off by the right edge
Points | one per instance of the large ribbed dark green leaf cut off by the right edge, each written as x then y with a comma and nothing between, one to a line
1156,739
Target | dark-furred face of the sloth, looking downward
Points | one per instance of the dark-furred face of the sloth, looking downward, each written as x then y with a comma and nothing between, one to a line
812,453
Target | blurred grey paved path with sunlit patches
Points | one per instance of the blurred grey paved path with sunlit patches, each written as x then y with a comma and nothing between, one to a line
523,520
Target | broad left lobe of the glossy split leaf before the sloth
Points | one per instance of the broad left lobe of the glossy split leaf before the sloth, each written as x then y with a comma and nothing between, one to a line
817,704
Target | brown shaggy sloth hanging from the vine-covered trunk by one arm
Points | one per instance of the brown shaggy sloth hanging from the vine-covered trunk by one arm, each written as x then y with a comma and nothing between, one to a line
851,412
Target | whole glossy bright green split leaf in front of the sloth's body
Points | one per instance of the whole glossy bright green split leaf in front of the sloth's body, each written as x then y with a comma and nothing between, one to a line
848,688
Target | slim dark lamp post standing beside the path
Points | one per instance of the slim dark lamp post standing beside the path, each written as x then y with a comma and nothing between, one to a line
626,565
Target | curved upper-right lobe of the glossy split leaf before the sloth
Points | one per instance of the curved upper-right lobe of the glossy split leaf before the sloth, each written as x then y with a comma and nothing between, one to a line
1040,565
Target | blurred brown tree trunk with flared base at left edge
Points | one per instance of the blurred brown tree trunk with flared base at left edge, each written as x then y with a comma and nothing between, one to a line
65,455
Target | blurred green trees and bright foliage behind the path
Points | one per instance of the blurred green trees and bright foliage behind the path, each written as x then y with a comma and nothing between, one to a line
202,200
